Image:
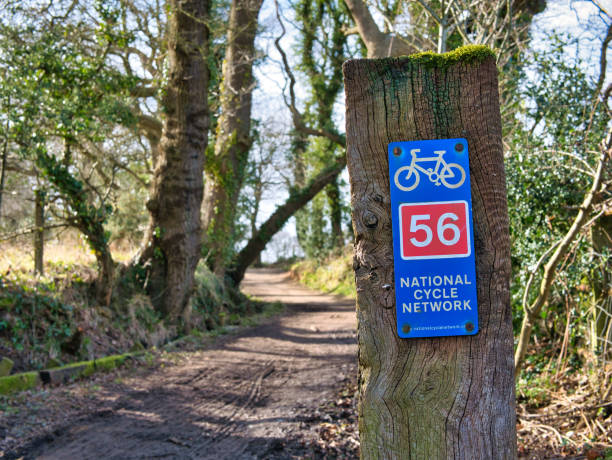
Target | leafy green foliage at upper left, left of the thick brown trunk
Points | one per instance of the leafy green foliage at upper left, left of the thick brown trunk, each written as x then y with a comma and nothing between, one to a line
60,93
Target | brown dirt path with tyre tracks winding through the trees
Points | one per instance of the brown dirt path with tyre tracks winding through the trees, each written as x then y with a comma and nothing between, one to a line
251,395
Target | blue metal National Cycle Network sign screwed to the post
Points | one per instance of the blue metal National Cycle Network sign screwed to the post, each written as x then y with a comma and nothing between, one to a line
433,238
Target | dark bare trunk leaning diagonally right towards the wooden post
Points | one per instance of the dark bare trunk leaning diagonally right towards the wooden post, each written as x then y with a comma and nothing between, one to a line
297,199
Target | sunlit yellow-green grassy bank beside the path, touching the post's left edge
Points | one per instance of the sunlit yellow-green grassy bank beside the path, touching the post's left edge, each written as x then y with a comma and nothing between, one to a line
334,274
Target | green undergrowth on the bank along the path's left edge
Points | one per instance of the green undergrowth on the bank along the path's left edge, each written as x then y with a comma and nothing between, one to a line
51,321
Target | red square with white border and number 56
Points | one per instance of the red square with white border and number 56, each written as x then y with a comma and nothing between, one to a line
435,230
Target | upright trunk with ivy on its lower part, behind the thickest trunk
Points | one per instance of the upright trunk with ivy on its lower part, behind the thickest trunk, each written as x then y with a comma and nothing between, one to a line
225,171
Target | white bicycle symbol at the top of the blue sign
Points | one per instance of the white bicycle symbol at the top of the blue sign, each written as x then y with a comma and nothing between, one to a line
450,174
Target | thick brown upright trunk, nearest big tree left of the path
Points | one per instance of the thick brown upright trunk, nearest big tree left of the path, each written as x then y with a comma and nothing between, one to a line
172,250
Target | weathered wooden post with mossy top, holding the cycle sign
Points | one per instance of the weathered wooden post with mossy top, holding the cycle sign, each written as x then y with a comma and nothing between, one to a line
448,396
